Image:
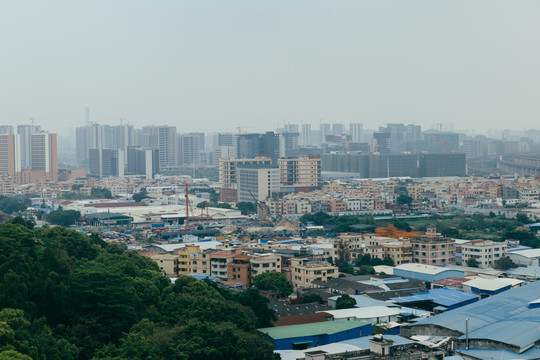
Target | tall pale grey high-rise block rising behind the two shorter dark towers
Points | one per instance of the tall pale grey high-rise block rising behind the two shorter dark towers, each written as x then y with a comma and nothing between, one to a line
162,138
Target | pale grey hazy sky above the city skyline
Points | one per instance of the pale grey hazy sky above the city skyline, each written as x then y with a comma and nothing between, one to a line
215,65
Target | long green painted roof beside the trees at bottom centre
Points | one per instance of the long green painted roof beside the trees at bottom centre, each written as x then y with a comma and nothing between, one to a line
312,329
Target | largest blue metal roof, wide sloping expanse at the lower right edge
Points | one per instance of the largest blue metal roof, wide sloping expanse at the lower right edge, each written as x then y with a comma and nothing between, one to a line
504,317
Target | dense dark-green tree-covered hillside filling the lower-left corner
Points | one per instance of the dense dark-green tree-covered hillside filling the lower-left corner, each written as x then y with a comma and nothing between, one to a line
67,296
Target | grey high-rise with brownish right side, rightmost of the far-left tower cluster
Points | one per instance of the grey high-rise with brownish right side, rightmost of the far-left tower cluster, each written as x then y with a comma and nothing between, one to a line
44,158
